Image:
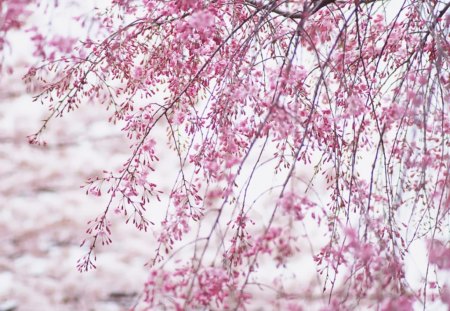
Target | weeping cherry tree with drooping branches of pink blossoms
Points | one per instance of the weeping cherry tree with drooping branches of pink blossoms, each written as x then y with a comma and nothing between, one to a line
309,142
